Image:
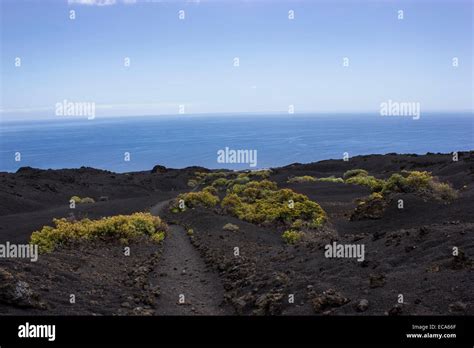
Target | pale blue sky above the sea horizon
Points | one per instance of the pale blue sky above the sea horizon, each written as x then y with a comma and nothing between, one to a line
190,62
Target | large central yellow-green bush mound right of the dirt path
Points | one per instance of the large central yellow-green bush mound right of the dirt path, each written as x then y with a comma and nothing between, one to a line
262,202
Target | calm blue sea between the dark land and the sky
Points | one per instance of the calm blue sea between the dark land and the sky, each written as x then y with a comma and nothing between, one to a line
181,141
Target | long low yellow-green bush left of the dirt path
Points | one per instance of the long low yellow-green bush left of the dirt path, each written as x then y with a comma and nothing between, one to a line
120,227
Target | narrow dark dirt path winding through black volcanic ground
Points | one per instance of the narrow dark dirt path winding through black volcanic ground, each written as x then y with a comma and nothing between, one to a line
187,285
